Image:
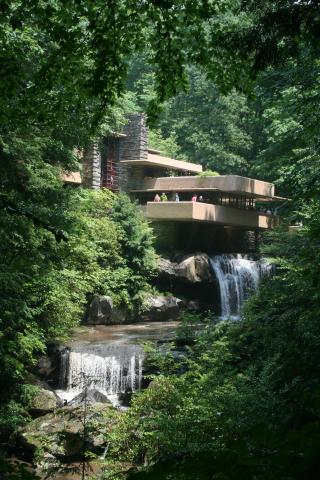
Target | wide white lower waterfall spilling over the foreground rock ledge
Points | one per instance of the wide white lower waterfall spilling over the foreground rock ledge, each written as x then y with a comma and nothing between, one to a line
110,369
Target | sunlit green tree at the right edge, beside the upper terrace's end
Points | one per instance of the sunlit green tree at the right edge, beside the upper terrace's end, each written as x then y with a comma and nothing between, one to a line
288,100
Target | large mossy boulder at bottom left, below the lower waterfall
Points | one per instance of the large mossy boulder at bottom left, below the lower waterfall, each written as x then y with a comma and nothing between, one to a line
61,434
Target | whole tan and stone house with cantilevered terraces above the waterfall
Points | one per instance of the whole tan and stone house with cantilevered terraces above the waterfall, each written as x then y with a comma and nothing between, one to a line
230,204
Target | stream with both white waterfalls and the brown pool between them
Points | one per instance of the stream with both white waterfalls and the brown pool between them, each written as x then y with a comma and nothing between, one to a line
105,363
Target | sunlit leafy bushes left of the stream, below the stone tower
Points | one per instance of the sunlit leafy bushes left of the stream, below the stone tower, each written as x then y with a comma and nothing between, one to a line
46,284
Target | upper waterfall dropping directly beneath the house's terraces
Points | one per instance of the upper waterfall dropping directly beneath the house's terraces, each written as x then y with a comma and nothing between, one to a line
237,277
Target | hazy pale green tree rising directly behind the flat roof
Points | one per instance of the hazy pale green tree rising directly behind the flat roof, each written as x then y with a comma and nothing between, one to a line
210,128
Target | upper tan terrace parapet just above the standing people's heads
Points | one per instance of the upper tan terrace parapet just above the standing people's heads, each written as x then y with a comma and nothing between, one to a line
232,184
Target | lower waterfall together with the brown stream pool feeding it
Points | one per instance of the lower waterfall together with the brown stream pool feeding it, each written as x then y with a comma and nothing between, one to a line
108,360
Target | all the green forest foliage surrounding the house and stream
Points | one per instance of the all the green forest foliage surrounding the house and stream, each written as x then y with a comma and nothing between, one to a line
248,404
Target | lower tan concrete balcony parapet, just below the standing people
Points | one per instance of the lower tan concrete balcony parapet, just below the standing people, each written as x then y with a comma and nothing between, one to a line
205,212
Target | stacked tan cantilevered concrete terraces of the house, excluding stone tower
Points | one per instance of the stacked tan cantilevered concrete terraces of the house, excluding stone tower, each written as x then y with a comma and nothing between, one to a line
228,200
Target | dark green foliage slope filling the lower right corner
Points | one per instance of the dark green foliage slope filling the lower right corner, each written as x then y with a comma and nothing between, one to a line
247,405
